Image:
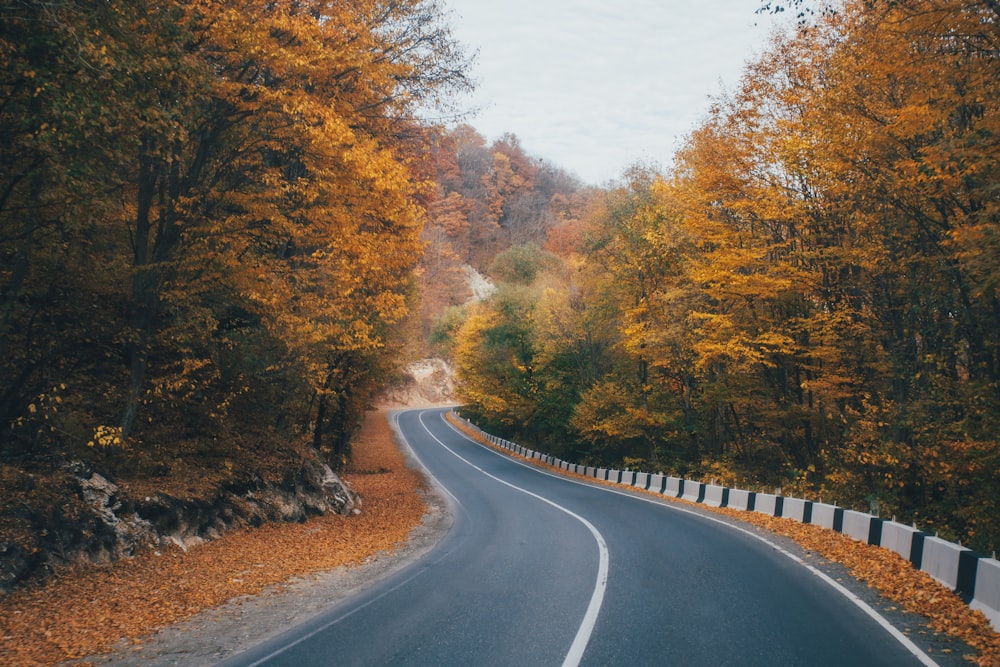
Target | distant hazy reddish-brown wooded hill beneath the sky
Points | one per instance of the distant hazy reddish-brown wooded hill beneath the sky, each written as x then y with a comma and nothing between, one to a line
487,199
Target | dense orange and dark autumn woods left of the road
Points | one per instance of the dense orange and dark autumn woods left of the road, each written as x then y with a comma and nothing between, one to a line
210,214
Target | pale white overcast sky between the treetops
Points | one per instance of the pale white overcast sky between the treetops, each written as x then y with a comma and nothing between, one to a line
594,86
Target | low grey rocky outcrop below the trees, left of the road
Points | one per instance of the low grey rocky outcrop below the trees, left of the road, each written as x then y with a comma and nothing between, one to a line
99,523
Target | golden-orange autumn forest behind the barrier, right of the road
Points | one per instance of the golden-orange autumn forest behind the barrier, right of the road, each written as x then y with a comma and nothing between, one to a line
809,298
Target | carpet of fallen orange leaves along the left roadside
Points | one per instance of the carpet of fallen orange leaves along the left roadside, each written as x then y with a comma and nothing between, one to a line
85,610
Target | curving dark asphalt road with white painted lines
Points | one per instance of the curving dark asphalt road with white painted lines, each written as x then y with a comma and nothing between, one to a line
543,570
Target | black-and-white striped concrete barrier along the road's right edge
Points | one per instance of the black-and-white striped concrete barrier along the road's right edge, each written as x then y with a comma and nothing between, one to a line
969,574
